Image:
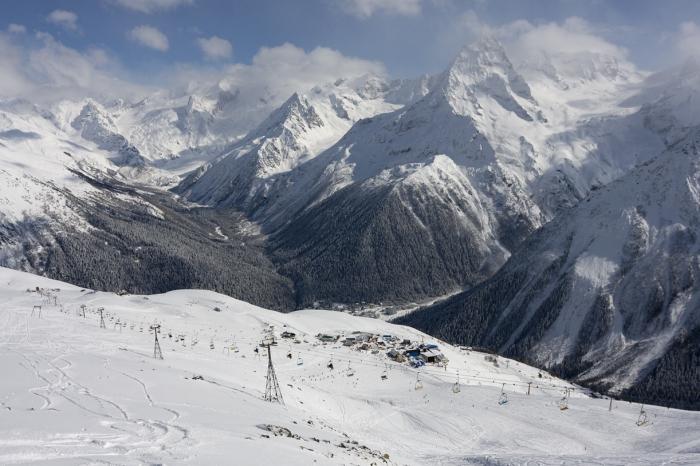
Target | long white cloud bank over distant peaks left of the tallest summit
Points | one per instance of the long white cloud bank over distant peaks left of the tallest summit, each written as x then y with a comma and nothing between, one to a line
46,71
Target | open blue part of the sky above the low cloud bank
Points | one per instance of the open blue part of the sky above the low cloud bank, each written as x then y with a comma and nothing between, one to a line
404,42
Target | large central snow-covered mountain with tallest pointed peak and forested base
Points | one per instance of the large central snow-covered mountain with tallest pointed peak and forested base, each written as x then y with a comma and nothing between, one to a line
459,177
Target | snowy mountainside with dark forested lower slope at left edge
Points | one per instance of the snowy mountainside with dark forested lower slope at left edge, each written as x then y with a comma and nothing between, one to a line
69,209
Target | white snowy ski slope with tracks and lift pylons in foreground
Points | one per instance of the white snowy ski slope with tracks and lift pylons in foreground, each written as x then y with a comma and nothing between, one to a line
75,393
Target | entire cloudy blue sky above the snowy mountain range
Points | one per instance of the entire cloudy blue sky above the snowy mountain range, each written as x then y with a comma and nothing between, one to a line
148,41
